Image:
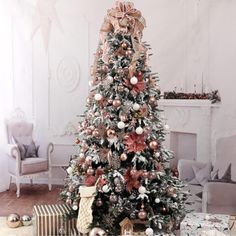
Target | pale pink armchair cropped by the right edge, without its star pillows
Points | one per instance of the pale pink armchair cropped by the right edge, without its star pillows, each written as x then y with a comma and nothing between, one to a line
217,197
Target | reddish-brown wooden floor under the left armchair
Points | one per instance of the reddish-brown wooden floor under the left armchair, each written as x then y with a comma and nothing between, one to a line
30,196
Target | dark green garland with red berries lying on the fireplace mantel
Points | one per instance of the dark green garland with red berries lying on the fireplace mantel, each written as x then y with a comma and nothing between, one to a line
213,96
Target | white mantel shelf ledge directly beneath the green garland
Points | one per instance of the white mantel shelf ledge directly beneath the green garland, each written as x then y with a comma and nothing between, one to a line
187,103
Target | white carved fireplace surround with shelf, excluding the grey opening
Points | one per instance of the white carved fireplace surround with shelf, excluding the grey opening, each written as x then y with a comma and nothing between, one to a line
191,117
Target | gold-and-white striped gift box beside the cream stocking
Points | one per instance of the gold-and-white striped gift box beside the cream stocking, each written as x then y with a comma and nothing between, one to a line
49,220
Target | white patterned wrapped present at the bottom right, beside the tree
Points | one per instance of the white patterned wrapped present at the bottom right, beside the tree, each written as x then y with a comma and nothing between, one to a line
198,224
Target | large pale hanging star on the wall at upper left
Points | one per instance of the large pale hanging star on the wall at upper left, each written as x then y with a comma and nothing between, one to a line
45,15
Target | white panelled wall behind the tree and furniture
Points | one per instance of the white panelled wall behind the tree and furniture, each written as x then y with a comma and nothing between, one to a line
193,42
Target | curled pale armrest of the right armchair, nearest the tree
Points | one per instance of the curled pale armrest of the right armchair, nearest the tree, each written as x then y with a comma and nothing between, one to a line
185,169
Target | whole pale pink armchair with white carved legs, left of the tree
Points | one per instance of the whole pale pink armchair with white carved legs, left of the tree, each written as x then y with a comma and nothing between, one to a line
25,158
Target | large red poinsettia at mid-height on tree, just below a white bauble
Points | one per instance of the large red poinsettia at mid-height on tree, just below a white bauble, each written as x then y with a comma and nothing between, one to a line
135,142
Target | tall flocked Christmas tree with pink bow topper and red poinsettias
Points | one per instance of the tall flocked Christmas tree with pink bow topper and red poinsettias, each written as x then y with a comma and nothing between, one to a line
121,155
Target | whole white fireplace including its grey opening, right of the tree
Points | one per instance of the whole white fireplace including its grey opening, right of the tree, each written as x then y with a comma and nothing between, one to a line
190,124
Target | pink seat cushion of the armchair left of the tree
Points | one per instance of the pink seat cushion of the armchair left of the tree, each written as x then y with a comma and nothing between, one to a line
33,165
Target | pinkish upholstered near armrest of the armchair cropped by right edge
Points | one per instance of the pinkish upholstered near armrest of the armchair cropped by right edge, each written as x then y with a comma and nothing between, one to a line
218,194
